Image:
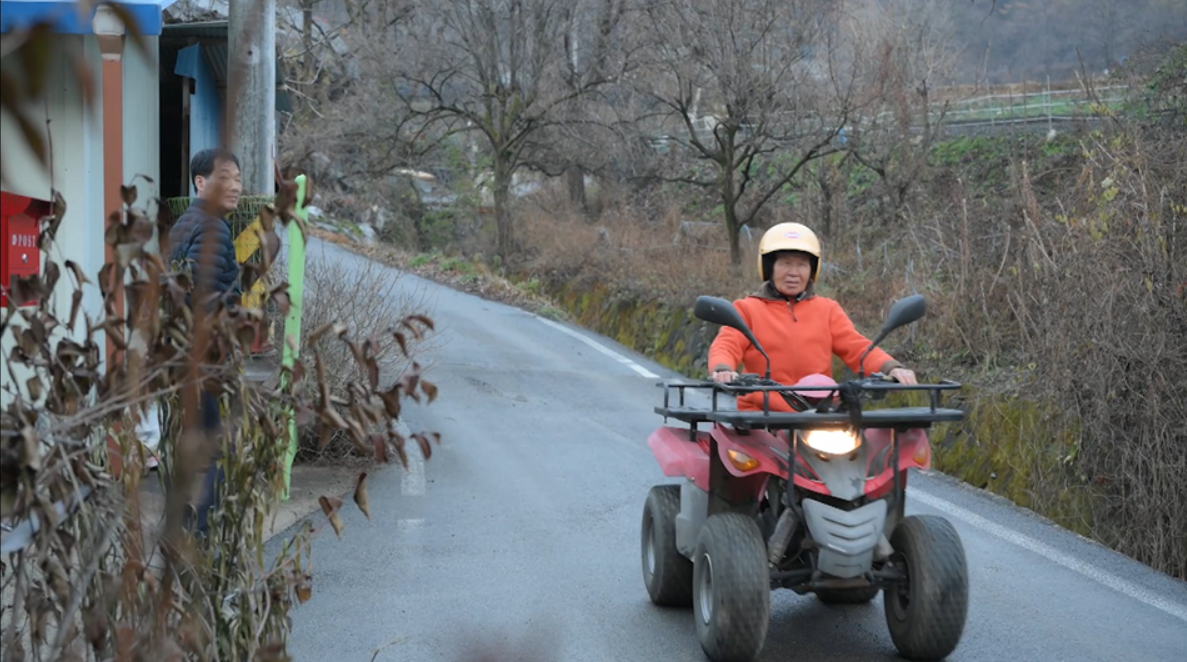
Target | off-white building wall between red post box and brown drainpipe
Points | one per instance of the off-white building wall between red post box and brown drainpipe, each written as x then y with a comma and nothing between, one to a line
78,174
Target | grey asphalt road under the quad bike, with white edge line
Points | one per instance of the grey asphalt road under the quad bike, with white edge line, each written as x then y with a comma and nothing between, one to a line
523,530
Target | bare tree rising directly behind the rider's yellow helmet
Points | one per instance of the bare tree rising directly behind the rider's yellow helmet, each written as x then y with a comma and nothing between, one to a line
750,91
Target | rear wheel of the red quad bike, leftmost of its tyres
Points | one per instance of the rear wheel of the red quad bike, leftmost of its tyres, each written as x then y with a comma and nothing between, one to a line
667,572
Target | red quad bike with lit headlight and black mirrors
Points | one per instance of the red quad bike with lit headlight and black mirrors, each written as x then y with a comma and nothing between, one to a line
810,501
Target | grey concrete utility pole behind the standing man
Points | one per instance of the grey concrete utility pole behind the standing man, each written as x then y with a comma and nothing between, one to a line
252,91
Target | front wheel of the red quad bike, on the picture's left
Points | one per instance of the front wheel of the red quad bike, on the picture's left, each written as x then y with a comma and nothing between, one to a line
732,589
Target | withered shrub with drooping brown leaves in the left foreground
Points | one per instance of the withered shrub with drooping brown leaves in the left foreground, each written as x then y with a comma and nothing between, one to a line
98,578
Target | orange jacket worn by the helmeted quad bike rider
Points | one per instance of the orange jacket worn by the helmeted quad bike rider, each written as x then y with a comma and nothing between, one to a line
801,336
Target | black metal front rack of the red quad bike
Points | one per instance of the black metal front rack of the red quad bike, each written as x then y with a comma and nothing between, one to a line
852,415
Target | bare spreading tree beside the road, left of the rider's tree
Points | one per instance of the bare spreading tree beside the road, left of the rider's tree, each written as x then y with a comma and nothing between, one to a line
498,71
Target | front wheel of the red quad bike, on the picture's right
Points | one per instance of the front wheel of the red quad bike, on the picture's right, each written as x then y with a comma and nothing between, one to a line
926,614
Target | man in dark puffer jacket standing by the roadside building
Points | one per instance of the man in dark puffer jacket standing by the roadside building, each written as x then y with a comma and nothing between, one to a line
202,244
